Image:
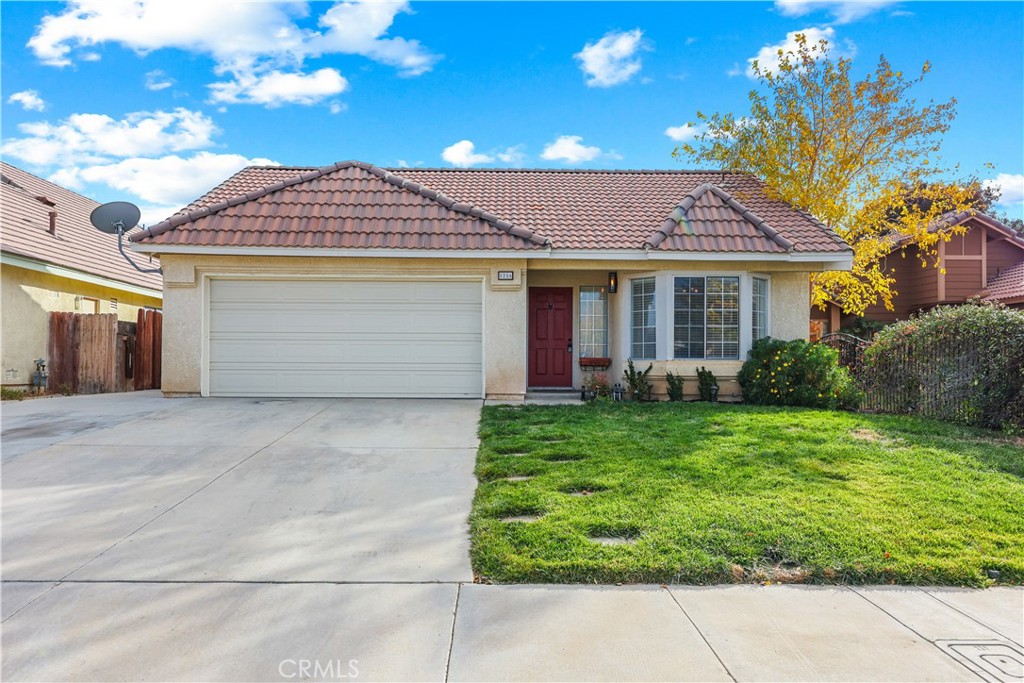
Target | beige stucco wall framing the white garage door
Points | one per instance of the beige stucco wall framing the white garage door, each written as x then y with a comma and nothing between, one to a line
186,279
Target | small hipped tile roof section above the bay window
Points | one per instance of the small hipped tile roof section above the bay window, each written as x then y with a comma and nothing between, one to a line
711,220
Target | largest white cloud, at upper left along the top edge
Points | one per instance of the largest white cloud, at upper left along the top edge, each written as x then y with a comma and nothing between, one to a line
264,52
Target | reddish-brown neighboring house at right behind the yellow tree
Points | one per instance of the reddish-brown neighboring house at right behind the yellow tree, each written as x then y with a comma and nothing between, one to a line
988,262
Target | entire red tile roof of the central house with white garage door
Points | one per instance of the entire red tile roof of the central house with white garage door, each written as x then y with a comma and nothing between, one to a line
357,205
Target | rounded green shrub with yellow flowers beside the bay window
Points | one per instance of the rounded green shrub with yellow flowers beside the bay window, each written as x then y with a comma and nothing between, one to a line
796,373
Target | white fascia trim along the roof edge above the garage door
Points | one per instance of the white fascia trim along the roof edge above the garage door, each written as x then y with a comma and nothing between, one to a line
339,253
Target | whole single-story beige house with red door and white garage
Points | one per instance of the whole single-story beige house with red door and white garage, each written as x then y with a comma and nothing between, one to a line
357,281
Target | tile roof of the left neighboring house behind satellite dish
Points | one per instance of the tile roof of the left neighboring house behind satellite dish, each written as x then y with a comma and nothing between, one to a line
77,245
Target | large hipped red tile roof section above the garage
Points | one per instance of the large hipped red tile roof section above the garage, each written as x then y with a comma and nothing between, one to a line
349,205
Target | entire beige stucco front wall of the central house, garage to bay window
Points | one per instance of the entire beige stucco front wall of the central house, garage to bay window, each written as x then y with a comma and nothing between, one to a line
505,309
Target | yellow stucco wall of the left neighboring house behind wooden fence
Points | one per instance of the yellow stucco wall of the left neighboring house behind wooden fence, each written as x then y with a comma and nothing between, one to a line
30,296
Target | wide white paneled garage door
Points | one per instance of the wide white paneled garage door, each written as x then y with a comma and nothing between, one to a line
318,338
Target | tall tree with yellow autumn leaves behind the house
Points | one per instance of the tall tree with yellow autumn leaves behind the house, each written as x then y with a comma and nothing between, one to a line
860,156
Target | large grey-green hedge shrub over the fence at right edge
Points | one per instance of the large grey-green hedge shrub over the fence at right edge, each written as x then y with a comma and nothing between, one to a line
963,364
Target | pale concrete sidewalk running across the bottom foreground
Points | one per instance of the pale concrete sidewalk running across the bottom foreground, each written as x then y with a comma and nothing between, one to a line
464,632
